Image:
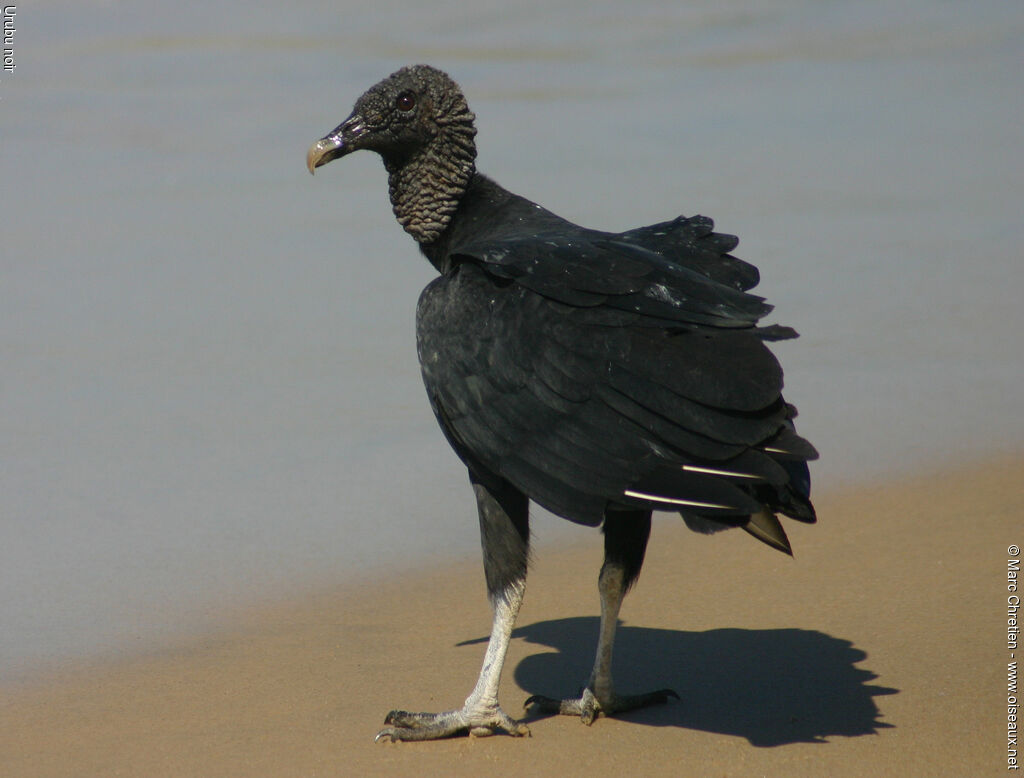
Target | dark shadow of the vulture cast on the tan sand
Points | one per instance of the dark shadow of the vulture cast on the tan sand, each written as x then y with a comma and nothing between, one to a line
773,687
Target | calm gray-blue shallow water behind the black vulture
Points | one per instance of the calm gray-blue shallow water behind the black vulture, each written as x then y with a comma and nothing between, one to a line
210,391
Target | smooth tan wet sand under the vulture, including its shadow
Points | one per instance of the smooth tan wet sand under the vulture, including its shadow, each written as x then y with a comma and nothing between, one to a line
880,650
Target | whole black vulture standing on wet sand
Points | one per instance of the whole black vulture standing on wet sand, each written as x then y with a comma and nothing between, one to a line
602,375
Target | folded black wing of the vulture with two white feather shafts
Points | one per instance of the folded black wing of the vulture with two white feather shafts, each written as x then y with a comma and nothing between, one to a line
598,371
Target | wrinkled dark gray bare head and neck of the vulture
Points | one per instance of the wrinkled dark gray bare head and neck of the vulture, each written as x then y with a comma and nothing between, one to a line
418,121
